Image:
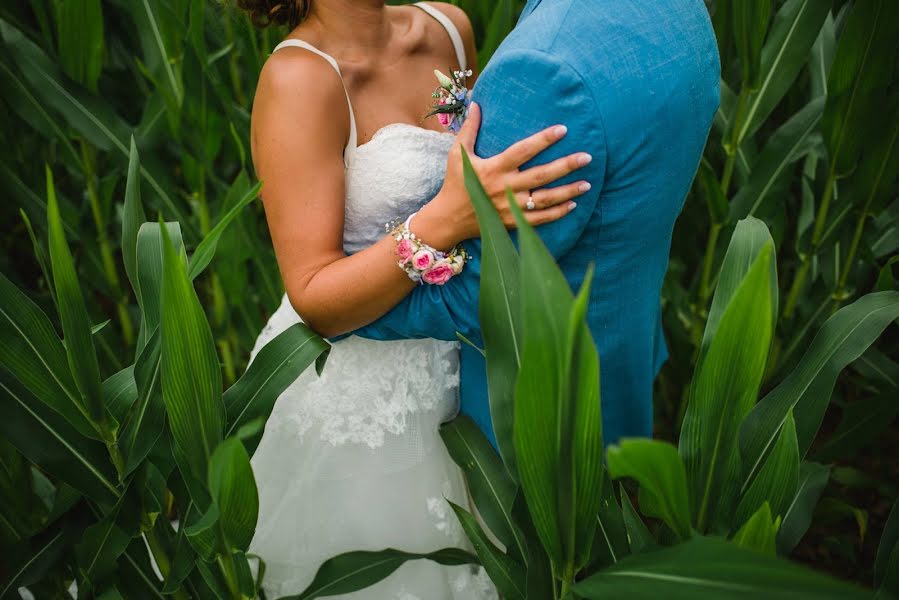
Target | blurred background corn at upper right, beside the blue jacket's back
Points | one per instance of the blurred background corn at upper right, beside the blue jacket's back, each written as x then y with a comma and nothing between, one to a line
806,140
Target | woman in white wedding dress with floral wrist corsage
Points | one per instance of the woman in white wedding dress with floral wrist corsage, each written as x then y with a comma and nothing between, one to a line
352,460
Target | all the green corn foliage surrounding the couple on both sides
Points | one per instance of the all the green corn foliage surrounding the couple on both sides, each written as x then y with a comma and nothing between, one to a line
137,273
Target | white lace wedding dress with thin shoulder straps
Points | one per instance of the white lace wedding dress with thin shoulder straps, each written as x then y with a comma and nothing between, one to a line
353,460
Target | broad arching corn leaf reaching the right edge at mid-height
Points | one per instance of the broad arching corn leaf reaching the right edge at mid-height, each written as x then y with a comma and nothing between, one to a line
807,390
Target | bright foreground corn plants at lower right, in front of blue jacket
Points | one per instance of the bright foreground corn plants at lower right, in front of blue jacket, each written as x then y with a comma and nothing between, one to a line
548,498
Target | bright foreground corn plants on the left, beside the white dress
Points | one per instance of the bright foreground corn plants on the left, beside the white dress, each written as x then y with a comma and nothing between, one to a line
111,459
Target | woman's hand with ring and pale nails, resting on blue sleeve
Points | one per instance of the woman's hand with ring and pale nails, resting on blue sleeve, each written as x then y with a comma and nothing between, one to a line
450,218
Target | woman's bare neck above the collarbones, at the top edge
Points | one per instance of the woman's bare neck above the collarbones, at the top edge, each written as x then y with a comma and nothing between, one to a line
351,24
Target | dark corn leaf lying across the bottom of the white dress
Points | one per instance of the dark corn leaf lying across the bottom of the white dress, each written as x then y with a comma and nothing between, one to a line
356,571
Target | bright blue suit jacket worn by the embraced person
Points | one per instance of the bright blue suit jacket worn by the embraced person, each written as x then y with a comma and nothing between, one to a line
636,82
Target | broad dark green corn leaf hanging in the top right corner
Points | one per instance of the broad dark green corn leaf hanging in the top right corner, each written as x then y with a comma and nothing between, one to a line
862,69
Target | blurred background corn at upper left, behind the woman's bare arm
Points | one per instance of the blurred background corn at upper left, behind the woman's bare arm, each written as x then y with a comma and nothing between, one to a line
79,78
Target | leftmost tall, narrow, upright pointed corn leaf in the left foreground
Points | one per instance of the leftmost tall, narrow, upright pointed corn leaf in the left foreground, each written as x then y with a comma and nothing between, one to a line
76,324
